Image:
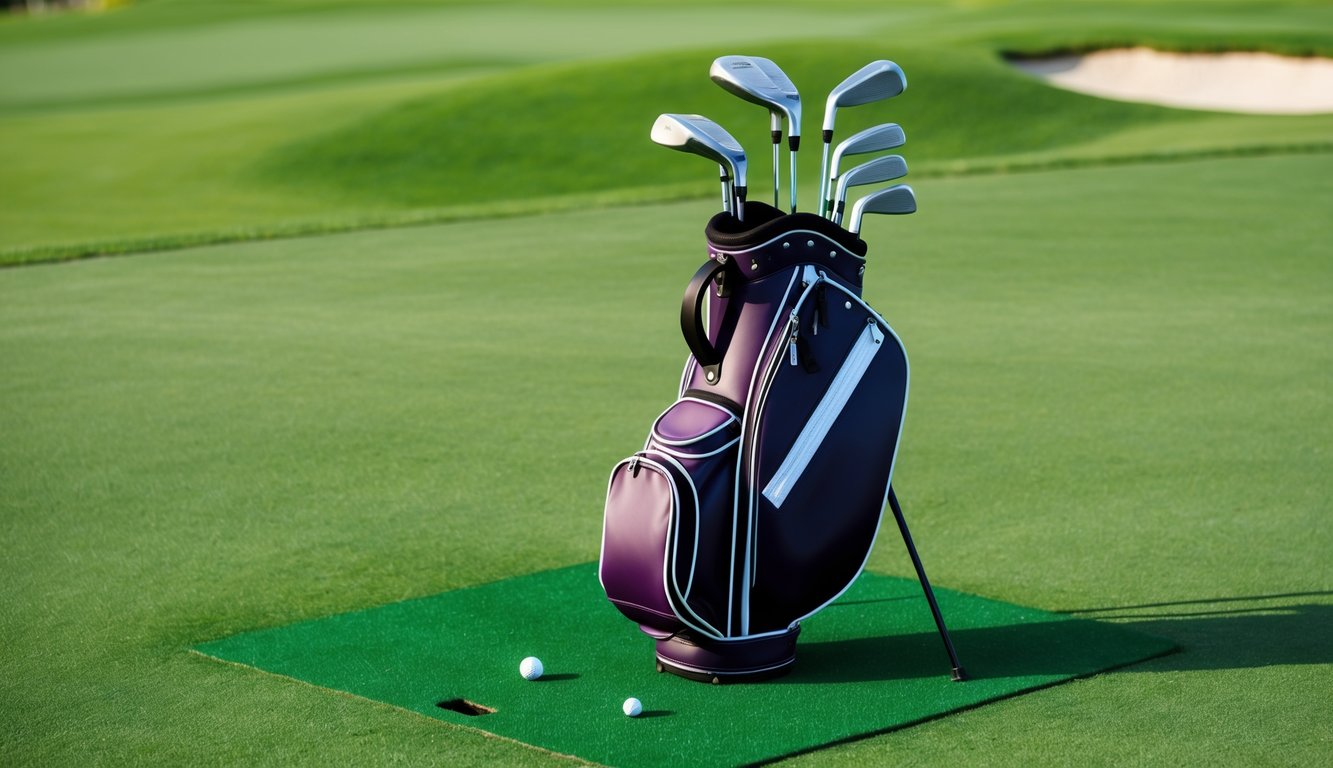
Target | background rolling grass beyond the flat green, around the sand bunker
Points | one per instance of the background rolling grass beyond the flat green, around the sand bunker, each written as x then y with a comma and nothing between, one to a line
183,123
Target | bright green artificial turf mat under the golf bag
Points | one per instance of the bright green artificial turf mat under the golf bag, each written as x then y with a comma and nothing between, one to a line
870,663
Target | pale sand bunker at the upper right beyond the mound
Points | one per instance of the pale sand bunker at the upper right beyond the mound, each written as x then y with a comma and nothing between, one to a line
1256,83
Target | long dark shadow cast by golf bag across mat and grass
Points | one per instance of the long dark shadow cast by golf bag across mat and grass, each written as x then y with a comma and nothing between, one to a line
1236,637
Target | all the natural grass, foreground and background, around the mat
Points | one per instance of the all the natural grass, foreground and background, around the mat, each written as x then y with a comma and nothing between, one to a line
283,403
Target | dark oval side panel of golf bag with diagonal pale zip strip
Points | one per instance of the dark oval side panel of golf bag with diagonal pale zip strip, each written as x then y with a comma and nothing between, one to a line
820,454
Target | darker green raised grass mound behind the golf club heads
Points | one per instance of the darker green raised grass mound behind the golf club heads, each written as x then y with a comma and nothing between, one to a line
582,129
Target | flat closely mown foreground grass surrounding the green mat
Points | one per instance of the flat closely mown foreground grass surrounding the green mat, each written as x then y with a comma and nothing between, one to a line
1119,410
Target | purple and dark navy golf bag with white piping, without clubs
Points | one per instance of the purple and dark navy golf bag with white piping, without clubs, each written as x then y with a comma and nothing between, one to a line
759,494
